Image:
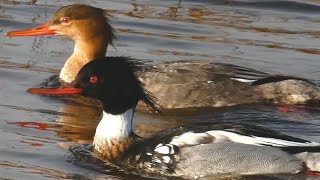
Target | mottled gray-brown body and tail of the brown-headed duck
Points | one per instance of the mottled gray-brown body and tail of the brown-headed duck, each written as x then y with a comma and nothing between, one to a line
184,84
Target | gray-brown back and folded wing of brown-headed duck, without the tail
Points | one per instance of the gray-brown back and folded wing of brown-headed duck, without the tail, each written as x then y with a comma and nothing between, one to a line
183,84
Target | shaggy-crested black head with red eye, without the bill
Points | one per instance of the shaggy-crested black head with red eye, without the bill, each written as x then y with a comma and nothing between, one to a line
113,81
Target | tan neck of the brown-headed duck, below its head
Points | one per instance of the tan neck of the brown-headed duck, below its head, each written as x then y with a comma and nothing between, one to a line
84,52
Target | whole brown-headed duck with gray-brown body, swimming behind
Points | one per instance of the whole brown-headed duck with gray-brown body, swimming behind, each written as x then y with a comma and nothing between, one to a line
178,84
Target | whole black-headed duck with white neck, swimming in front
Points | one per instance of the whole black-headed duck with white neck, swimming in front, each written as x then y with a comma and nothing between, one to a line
188,151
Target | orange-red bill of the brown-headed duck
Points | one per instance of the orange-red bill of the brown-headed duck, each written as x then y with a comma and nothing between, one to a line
36,31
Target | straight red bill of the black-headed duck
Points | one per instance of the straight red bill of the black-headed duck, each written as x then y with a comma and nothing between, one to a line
56,91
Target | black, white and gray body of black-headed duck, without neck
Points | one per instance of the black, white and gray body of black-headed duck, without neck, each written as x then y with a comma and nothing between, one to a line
206,149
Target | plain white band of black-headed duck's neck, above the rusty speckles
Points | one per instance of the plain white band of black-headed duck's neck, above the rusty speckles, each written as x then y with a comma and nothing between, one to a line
113,127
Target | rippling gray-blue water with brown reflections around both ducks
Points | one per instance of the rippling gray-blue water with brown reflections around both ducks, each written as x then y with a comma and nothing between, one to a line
271,36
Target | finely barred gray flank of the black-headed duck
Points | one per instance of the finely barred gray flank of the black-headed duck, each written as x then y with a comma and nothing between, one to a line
235,158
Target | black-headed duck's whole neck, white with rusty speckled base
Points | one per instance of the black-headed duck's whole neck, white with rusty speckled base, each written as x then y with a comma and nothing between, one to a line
113,134
